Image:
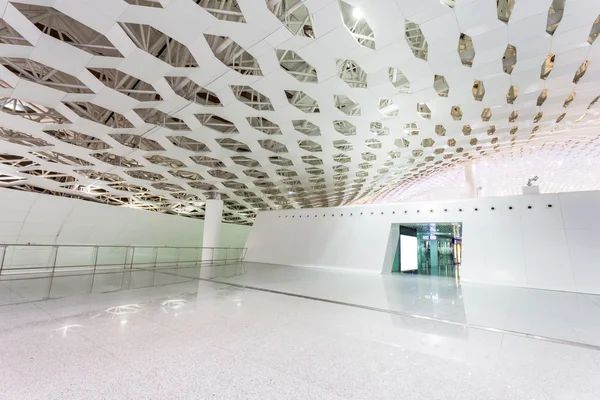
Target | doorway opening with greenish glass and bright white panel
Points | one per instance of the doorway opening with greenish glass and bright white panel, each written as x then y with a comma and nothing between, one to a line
429,249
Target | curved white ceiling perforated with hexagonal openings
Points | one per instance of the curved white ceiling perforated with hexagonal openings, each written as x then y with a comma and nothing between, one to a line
161,104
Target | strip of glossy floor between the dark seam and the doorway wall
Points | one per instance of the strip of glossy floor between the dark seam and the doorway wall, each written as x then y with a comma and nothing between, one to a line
559,315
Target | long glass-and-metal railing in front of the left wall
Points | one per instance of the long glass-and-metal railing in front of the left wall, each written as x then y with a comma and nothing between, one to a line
37,271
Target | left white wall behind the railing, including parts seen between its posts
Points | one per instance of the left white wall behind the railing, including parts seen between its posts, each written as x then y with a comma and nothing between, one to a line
43,219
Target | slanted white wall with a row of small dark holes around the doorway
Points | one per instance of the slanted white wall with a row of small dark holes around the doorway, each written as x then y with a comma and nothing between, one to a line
541,247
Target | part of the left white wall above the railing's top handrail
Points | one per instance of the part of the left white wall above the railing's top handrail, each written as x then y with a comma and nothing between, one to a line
43,219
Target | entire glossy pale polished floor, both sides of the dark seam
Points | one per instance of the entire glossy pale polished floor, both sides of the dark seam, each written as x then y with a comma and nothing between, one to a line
324,335
